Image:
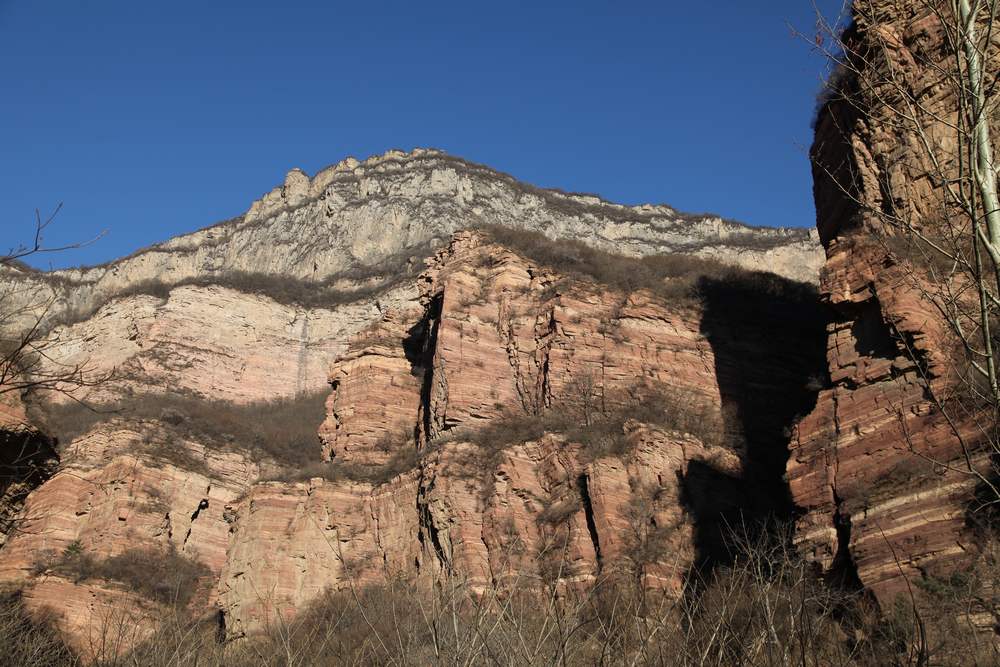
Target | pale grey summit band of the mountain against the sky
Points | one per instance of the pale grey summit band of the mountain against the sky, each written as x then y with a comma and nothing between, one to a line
358,214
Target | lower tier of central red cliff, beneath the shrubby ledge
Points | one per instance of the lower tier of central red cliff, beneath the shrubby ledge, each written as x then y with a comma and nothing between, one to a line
539,513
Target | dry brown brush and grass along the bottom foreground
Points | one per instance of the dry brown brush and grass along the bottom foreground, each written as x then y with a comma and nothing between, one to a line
767,609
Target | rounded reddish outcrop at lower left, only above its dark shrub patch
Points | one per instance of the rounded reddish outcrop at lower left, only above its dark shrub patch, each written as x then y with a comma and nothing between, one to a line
132,485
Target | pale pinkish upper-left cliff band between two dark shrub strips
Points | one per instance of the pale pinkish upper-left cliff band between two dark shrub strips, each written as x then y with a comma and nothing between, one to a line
211,342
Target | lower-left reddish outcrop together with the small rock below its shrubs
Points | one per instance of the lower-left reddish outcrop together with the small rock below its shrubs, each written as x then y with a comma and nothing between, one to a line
123,487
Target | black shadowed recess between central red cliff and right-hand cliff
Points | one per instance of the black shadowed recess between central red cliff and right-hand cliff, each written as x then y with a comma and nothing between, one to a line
768,335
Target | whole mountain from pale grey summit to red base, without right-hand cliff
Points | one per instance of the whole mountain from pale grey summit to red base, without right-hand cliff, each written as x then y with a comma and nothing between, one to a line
424,337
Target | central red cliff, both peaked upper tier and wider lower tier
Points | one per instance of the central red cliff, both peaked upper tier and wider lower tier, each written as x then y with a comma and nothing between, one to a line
495,335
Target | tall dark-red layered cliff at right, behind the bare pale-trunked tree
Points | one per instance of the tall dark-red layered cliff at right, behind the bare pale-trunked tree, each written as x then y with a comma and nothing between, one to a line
877,510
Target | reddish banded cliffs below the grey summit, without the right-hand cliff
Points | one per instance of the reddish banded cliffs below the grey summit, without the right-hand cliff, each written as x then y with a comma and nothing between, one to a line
426,472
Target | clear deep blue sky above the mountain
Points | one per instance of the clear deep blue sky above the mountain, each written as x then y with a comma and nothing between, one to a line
150,119
